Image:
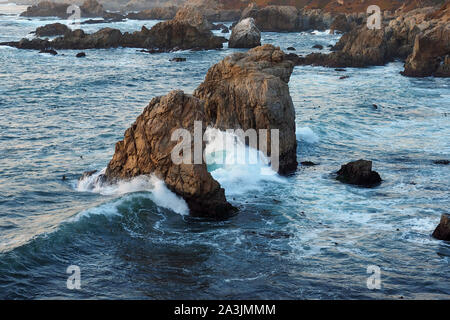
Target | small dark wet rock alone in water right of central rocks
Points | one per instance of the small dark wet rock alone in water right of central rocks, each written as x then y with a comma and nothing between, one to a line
359,173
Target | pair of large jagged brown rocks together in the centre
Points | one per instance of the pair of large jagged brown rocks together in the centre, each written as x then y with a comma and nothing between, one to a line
244,91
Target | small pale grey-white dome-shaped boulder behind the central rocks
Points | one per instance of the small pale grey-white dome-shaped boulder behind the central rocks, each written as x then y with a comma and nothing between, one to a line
245,35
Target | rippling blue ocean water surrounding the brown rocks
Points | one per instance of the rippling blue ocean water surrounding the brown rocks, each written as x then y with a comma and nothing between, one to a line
305,236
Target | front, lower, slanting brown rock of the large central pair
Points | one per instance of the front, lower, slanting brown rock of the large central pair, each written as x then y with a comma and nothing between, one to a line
147,147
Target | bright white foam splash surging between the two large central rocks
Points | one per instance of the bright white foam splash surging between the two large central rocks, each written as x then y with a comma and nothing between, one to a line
238,167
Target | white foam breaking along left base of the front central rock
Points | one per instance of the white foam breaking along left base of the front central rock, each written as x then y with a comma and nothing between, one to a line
158,191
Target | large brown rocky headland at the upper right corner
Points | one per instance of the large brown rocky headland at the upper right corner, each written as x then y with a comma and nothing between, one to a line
426,30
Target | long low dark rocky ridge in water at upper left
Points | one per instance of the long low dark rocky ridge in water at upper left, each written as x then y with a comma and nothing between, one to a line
164,36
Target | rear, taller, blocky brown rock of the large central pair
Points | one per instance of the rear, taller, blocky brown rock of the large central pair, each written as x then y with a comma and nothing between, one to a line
250,91
